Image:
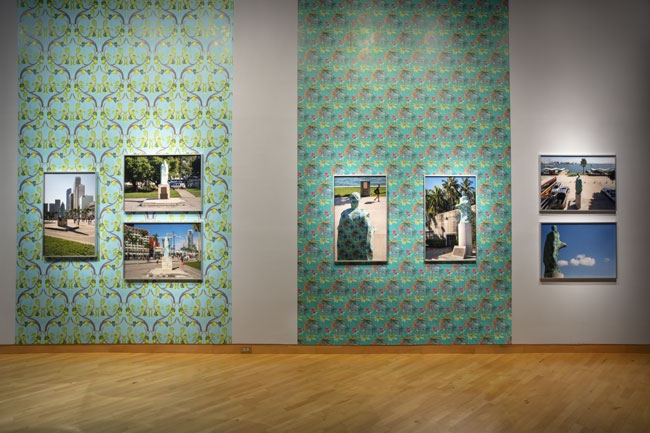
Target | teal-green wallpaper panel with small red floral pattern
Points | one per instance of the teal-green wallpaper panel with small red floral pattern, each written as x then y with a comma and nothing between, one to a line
403,88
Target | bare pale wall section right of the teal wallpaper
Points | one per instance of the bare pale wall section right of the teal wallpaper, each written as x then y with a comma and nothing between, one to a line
580,83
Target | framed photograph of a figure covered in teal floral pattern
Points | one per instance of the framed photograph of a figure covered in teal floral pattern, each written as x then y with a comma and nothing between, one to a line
360,219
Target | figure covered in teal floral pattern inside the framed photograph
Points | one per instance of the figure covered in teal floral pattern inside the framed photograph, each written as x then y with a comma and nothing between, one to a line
354,240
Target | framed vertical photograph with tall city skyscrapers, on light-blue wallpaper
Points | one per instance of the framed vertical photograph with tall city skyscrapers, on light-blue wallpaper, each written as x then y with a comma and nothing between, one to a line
69,209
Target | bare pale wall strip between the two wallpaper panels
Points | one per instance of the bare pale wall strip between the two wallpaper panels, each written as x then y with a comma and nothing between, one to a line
265,159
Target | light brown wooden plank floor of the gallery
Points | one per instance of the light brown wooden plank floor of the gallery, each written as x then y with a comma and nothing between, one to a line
477,393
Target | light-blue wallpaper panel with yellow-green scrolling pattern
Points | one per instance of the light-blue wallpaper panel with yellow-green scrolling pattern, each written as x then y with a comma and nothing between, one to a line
100,79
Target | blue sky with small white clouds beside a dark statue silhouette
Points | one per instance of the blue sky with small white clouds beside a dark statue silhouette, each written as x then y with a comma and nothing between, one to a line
590,250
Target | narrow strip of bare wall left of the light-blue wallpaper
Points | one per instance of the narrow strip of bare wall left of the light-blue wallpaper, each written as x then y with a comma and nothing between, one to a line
8,167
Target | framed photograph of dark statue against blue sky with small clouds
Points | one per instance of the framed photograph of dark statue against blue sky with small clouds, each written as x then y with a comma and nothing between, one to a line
578,252
